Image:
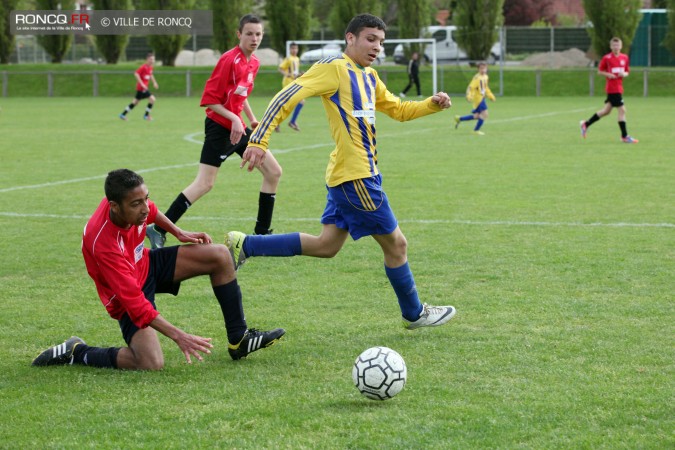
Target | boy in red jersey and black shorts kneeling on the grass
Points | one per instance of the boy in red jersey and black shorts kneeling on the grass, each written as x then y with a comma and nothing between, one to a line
127,277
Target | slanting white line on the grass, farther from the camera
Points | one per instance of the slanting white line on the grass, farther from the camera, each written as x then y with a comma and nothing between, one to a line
191,138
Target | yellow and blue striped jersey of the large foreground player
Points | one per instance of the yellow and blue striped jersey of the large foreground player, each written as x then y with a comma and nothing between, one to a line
350,94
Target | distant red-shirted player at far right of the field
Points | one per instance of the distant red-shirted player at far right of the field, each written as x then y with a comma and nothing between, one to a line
615,67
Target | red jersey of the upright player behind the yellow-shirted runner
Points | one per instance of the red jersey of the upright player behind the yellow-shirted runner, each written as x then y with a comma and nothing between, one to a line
230,84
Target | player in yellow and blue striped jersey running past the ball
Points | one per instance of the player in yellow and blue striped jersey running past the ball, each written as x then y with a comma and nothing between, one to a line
351,92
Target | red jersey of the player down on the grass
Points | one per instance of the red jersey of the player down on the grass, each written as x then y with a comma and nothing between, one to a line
118,263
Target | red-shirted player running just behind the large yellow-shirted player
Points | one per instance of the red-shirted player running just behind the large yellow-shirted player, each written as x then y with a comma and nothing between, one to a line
225,97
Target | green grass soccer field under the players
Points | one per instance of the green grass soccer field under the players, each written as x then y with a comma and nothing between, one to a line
558,252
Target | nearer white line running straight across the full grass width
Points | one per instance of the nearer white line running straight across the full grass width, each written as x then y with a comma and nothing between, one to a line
508,223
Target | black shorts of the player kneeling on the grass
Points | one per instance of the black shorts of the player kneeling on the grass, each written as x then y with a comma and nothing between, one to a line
160,280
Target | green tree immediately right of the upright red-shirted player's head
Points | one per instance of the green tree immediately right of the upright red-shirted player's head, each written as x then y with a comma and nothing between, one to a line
287,21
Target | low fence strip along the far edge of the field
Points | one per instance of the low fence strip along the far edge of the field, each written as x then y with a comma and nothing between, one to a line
451,78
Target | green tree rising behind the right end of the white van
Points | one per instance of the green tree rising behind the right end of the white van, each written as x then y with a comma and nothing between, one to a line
478,23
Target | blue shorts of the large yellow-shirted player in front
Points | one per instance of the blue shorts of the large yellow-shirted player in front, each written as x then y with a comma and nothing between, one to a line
360,207
